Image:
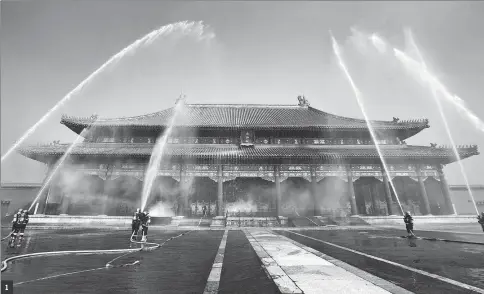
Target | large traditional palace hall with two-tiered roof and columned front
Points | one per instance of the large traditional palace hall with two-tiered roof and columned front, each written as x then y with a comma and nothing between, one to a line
260,160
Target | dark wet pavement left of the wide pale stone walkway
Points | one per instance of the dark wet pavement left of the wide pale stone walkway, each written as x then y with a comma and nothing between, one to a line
182,265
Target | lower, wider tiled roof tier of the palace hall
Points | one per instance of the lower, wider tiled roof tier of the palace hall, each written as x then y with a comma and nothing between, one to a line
444,155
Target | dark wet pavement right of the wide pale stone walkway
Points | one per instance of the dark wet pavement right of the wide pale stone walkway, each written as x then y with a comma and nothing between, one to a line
460,262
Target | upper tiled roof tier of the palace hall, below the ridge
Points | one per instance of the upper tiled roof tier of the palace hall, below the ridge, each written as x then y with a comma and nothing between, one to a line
245,116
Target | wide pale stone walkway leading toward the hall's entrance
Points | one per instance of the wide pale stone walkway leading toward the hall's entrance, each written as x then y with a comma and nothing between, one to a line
304,271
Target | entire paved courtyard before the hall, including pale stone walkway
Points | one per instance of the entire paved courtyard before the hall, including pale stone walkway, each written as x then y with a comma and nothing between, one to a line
252,260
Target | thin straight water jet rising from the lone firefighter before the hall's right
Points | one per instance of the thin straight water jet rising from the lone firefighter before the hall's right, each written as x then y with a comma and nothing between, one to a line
359,99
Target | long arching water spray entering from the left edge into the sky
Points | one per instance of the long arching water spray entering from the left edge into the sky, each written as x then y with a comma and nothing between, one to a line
185,27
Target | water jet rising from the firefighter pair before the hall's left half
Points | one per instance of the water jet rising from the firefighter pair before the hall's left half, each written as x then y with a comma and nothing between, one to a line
157,155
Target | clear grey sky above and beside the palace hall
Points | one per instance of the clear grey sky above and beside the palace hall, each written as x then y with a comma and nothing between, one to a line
263,52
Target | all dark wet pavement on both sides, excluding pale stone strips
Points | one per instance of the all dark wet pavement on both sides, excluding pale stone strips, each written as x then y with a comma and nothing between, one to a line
183,264
